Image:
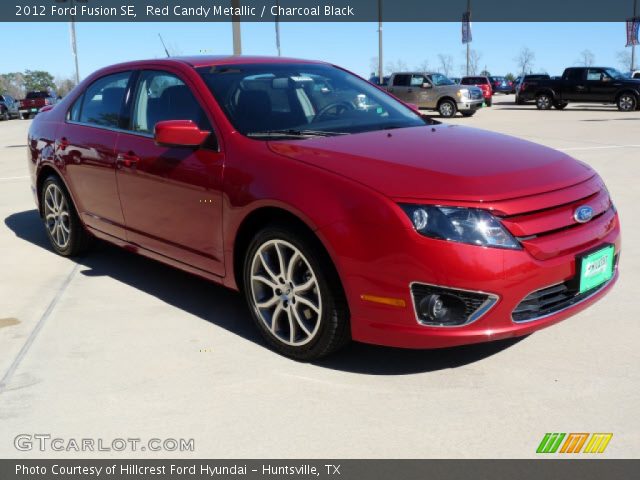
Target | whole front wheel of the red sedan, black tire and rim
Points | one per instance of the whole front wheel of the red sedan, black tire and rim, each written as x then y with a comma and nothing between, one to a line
294,295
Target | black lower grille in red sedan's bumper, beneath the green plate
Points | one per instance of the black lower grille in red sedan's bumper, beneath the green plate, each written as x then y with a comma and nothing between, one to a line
550,300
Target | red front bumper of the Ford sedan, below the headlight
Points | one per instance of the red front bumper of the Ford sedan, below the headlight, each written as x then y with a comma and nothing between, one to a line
509,275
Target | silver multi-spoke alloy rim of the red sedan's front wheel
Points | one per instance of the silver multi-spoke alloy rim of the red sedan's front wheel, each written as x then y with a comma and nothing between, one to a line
285,293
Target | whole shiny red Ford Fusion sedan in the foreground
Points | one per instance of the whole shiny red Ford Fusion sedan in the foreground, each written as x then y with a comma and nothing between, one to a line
339,211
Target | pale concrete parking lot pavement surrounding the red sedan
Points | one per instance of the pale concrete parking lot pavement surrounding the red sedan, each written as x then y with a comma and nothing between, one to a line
113,345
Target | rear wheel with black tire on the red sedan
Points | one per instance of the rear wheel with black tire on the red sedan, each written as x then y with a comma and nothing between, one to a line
66,233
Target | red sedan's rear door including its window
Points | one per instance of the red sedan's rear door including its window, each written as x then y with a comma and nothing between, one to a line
86,144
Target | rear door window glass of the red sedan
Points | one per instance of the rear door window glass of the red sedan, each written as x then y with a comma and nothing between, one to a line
102,101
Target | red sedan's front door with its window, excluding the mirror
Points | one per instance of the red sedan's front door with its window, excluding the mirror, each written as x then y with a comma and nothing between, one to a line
171,196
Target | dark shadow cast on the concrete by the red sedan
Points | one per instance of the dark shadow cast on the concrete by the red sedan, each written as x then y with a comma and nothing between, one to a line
225,308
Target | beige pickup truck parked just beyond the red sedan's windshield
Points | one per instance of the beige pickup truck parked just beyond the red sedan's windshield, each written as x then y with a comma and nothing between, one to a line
435,91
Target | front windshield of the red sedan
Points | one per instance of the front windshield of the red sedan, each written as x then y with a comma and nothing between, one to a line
267,98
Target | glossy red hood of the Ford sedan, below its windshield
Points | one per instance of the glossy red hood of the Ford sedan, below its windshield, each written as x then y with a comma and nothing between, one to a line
447,162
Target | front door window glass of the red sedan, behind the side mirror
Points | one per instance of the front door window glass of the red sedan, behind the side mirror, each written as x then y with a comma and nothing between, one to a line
163,96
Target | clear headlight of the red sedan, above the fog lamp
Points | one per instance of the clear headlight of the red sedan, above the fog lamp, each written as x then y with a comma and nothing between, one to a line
465,225
